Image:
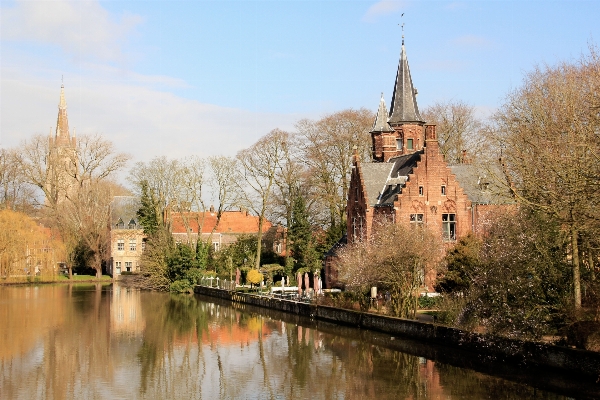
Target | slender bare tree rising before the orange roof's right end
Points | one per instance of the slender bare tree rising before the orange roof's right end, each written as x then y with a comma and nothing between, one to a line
259,165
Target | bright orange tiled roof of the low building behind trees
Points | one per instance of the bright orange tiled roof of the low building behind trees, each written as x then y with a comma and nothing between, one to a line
235,222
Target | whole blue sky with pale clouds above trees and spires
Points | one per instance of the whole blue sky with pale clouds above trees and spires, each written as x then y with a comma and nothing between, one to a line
177,78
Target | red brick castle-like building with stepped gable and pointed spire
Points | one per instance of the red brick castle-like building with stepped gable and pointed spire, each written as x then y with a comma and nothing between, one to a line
409,181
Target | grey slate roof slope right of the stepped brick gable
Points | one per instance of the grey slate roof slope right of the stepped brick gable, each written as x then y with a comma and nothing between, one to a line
481,185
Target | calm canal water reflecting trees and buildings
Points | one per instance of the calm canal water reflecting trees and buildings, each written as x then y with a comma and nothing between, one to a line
111,342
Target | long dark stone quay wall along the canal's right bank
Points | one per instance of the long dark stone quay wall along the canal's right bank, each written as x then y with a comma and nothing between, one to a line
582,363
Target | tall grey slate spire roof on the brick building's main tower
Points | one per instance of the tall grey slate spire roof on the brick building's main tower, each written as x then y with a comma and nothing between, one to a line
404,100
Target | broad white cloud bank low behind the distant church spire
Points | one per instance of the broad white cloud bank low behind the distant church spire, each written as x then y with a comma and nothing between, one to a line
143,121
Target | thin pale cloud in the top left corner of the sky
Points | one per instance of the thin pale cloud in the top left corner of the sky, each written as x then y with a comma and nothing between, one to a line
83,29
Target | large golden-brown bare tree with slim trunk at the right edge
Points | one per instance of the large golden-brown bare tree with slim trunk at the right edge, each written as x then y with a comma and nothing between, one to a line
549,129
